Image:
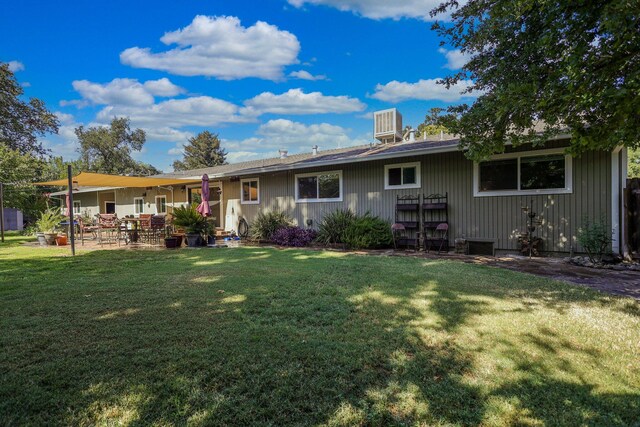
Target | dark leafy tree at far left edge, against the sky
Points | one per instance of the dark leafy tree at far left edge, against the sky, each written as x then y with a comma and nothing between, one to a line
21,123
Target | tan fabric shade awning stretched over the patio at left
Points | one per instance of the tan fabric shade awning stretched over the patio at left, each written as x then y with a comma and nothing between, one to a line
89,179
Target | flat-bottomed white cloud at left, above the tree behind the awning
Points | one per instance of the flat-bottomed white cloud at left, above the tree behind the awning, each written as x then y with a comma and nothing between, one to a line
123,91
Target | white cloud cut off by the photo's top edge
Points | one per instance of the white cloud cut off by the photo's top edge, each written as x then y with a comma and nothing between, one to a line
378,9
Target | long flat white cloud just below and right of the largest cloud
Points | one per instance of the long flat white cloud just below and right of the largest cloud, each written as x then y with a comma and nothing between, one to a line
295,101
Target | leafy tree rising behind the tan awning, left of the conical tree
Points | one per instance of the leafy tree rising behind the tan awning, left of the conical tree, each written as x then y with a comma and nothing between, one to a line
108,149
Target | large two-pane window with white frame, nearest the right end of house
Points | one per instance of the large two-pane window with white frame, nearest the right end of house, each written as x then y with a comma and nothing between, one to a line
540,172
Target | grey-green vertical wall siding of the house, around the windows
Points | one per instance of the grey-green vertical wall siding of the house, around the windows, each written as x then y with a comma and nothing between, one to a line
497,217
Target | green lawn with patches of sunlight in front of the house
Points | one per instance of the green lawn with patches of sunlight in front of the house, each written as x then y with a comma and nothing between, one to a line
258,336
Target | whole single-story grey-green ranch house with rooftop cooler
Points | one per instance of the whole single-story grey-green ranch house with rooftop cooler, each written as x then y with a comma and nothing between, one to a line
485,203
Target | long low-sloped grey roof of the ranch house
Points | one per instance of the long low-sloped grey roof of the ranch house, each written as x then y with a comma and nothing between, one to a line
323,158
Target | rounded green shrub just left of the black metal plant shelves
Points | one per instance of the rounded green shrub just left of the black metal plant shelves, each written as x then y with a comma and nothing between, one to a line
368,232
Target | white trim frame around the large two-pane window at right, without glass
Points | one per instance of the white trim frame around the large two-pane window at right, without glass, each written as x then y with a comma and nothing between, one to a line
568,175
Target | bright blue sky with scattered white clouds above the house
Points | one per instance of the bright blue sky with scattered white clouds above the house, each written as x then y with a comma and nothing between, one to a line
264,75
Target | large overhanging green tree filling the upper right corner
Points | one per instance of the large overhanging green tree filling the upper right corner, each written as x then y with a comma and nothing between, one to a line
545,67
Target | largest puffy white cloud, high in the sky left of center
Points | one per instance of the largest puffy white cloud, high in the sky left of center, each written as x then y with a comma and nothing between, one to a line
221,47
